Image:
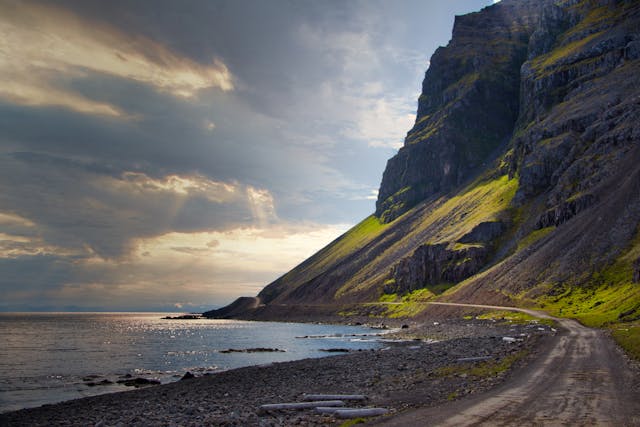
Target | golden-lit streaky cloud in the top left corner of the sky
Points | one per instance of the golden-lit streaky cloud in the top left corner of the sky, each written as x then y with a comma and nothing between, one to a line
44,49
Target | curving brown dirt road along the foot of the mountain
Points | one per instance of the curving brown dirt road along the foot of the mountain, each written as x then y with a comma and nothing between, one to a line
580,379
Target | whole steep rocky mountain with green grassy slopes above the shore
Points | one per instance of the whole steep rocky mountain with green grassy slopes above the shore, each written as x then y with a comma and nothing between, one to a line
518,184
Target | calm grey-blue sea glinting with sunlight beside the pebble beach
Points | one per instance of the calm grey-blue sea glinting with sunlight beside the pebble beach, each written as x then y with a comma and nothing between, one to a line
50,357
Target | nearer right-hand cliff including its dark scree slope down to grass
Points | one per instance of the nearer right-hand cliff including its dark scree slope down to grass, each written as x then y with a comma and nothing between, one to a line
576,153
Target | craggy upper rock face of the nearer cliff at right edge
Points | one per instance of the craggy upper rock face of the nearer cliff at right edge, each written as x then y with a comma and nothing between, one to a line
576,117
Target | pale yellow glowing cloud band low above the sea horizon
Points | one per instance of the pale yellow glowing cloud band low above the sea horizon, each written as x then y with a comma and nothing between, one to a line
164,269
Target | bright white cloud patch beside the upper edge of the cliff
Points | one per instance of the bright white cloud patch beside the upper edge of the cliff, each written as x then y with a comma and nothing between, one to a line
363,96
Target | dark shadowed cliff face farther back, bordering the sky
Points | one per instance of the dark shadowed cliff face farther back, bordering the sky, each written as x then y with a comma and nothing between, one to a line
468,107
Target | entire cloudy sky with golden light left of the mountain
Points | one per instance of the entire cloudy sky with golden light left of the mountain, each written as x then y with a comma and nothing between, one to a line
171,156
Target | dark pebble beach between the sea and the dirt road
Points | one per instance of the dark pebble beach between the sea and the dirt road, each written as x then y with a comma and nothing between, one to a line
402,375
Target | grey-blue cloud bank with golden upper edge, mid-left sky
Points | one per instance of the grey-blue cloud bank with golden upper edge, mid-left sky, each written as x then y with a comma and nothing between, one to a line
76,208
